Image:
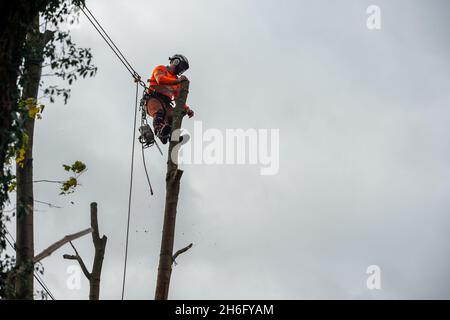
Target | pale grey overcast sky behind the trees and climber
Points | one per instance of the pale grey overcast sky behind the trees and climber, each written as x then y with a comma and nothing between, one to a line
364,151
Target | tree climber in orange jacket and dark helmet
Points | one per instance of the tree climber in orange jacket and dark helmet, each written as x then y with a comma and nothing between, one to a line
164,87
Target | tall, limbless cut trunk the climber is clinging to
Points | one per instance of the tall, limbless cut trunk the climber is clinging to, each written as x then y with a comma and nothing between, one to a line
173,177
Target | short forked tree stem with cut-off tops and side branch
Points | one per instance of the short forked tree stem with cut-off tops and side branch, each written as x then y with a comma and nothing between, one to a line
99,245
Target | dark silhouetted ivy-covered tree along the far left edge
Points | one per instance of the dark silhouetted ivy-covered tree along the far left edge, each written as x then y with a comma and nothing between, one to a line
16,20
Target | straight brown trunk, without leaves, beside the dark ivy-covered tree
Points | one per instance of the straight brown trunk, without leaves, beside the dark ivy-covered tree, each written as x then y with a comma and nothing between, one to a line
24,170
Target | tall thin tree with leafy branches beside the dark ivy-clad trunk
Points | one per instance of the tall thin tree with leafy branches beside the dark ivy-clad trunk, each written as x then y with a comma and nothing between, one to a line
68,62
